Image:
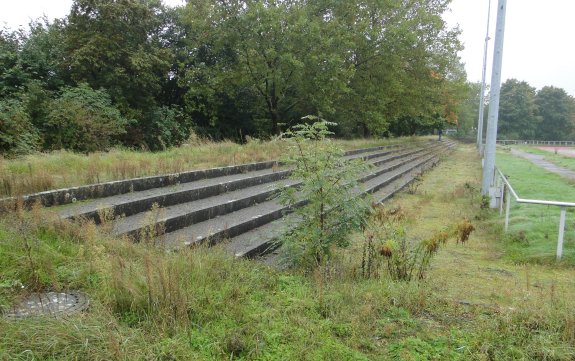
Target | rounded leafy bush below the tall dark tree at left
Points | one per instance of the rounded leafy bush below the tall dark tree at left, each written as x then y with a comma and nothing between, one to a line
84,120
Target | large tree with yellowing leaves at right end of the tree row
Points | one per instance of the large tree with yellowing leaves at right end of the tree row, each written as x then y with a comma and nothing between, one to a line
404,62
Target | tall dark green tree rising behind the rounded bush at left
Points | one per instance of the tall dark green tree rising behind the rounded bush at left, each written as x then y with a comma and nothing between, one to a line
116,45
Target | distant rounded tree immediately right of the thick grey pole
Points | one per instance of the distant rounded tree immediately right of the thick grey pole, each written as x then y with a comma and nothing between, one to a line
518,111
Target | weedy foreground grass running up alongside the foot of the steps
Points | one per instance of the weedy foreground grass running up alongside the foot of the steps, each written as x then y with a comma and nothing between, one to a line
201,304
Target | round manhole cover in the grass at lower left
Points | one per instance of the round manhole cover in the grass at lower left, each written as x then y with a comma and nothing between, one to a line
50,303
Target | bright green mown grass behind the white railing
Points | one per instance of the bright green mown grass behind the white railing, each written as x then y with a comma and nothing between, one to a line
533,229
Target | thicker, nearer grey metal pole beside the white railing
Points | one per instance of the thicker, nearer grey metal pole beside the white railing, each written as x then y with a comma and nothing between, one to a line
491,139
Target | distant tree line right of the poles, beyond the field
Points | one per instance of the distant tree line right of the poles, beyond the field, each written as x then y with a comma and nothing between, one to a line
527,113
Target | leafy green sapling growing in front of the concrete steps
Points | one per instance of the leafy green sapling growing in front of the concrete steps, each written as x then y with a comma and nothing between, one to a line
333,206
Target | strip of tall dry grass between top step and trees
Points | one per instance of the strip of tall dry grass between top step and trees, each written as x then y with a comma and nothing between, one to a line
44,171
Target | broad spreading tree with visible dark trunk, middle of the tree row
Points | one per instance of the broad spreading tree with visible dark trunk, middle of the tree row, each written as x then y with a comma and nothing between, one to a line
274,50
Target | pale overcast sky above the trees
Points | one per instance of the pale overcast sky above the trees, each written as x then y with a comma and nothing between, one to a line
538,39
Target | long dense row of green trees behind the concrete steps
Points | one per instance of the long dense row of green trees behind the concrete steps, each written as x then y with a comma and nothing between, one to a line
141,74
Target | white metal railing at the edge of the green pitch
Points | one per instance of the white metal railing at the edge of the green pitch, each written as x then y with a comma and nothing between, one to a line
507,186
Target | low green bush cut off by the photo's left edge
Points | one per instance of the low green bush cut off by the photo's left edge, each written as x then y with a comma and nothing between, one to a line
17,134
